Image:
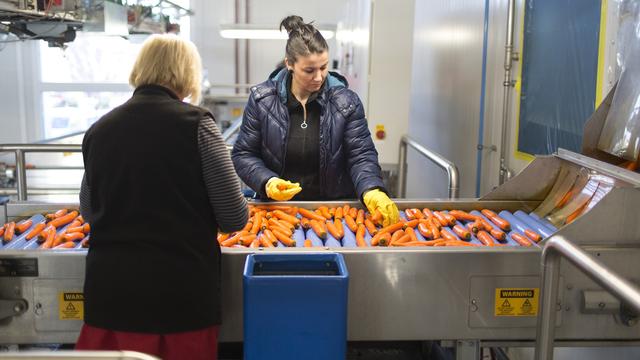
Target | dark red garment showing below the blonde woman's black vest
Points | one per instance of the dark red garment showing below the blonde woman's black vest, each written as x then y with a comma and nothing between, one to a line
195,345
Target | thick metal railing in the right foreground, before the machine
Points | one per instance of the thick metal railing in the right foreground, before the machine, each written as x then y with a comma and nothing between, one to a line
556,248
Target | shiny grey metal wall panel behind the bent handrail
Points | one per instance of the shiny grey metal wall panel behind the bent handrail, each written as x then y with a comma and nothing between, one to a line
445,92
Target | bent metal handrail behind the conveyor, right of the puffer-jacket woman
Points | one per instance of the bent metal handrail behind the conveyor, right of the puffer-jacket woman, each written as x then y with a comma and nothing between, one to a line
441,161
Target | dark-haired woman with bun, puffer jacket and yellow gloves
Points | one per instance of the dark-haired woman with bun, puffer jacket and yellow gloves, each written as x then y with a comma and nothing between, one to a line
304,133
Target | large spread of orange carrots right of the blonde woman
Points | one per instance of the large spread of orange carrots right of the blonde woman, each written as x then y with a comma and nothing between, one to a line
269,225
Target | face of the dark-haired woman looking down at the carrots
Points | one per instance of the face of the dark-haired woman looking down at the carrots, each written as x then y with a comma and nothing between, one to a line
310,71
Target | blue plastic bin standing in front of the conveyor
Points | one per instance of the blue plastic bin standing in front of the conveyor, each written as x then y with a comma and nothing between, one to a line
295,306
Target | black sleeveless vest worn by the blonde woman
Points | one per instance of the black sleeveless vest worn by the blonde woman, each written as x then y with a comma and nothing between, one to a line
154,262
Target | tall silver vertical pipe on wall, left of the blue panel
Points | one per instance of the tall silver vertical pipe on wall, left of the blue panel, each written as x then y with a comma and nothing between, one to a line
507,84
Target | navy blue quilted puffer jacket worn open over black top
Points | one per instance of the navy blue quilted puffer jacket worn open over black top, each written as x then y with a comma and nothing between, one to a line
348,158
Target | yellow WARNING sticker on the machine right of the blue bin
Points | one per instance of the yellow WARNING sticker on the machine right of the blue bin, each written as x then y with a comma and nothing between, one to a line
517,301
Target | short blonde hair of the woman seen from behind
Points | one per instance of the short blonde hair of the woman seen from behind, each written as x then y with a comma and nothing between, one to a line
169,61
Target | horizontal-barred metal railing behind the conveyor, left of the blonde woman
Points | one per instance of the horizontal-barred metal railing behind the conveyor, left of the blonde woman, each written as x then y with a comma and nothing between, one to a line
20,150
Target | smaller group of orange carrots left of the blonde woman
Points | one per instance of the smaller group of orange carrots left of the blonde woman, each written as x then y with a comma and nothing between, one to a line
62,229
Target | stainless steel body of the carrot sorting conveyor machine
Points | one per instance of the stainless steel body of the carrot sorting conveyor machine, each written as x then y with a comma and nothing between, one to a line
470,297
